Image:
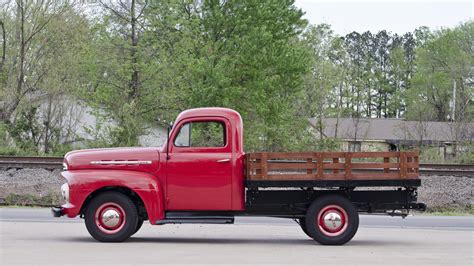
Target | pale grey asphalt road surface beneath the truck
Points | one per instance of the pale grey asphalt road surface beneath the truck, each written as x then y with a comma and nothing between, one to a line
32,236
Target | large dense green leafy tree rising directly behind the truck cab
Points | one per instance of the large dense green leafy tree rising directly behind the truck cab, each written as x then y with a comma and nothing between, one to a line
247,56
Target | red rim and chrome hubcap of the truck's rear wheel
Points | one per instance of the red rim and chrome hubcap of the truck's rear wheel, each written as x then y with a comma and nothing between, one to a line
332,220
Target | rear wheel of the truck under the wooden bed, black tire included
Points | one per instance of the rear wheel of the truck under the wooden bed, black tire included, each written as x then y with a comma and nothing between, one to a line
338,232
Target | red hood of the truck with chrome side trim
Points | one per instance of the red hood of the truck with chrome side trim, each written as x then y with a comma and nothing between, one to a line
133,159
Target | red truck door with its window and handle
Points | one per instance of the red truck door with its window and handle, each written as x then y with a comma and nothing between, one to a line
199,168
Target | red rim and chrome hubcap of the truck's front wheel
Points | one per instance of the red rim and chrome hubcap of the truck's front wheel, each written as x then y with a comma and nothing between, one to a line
110,218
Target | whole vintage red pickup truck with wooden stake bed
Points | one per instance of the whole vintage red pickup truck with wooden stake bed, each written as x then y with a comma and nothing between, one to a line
202,175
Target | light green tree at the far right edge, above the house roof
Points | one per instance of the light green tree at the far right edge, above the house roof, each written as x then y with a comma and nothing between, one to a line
444,73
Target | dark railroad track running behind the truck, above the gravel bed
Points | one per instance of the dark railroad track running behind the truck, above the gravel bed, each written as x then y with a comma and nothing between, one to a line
51,163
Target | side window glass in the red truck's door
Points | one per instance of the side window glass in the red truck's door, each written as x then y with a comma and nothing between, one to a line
201,134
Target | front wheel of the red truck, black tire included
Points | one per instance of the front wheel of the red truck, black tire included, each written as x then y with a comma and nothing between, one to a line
126,218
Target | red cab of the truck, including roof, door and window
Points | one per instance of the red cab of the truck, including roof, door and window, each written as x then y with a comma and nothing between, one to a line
204,161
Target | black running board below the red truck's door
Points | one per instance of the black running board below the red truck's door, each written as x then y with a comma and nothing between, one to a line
196,218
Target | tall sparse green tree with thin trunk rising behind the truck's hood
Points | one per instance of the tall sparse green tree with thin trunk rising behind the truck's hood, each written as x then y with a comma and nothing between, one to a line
119,68
